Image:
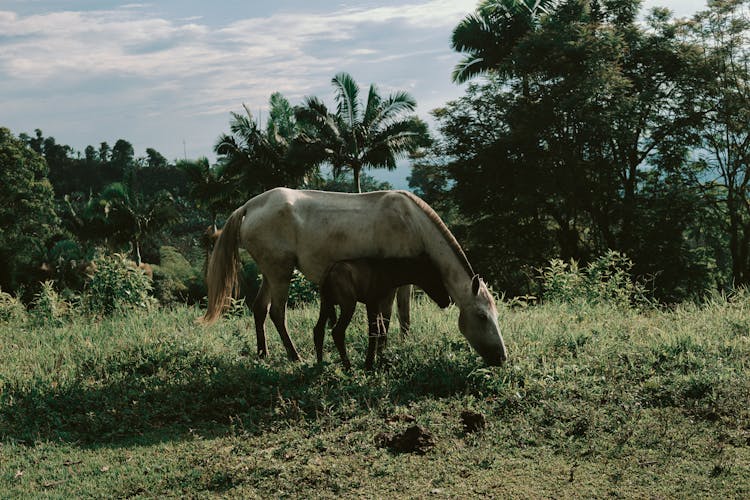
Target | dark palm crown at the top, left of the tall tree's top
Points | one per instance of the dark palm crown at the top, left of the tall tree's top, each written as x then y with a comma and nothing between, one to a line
489,36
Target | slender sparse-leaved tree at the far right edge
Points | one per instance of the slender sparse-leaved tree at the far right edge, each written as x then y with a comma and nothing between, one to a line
722,171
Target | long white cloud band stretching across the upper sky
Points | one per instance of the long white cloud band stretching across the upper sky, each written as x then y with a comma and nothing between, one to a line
42,47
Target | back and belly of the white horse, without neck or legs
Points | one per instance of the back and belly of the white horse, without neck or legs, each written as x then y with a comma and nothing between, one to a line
320,227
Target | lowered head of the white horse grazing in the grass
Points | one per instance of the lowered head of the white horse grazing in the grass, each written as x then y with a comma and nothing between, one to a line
477,321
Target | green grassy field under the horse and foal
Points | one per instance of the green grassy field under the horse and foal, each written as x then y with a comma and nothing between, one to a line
594,402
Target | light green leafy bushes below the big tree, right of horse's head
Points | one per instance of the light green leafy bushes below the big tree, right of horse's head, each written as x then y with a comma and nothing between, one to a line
606,280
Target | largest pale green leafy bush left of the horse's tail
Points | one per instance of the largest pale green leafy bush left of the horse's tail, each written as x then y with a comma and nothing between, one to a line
116,285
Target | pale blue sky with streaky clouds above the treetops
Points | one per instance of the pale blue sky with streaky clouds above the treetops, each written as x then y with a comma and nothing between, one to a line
167,74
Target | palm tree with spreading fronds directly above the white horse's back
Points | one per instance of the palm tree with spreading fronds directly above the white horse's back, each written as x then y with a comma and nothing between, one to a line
357,135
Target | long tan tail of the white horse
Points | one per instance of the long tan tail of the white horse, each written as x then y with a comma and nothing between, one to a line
223,267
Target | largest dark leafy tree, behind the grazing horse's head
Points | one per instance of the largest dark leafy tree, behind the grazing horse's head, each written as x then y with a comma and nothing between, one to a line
553,154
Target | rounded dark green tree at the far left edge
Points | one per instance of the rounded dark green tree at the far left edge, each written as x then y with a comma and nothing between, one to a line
27,216
